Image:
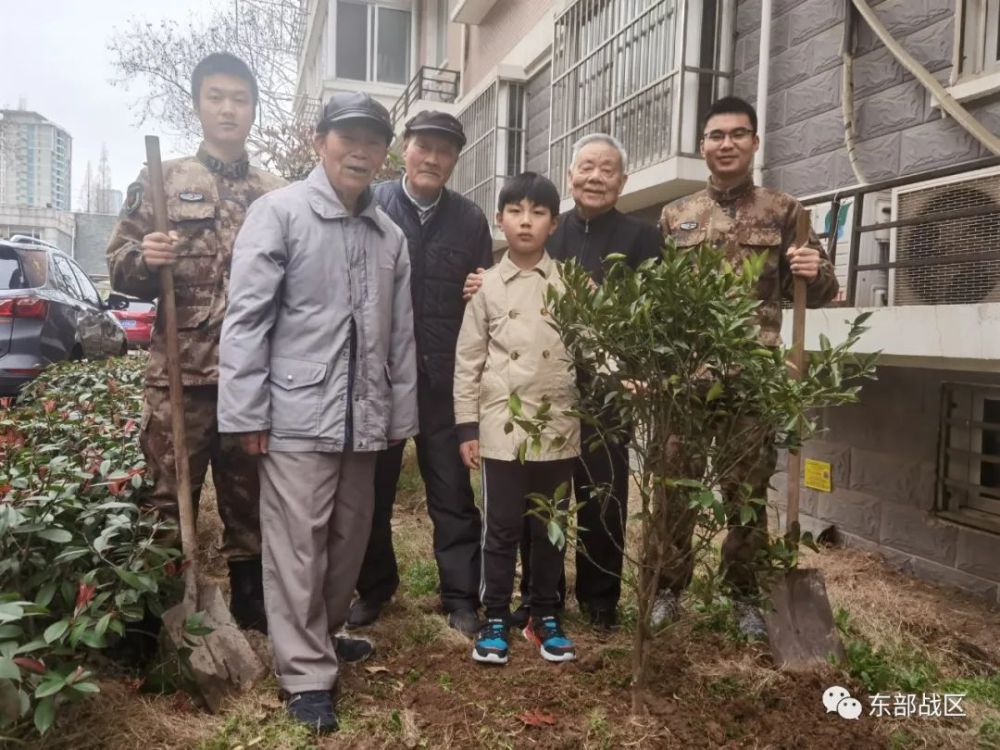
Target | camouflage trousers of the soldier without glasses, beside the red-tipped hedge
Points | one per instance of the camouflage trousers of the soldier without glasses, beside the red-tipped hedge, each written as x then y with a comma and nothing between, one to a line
234,474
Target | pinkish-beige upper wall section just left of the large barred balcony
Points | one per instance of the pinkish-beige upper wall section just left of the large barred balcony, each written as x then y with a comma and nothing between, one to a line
500,31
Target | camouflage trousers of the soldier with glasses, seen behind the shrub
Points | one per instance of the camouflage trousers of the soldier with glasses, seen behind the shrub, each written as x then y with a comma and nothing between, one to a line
752,462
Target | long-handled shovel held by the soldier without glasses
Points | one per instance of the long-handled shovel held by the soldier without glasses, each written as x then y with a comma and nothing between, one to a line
223,660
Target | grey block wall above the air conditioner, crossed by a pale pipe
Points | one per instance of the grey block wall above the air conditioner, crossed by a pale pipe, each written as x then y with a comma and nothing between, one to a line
899,131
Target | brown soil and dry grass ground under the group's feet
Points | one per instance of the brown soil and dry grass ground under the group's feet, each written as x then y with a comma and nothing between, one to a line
710,690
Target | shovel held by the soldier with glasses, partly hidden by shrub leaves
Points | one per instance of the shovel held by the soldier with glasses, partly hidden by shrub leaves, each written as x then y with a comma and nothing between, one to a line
799,621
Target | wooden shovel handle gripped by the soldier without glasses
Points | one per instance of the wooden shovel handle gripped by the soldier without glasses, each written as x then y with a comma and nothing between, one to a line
168,305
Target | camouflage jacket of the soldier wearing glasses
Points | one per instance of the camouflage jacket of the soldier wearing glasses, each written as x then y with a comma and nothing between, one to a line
750,220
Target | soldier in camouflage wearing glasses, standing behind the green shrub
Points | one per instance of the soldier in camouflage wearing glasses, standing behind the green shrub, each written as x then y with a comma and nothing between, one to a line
731,211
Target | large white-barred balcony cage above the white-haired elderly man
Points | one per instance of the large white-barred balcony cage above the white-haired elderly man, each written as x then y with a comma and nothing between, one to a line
632,68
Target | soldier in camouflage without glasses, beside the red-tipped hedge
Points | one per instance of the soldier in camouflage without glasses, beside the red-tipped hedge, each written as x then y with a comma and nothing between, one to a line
207,198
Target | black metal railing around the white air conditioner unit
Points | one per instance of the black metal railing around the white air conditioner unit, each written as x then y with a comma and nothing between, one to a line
940,246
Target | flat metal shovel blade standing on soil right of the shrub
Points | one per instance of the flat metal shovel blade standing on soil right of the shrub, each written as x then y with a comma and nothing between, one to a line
800,622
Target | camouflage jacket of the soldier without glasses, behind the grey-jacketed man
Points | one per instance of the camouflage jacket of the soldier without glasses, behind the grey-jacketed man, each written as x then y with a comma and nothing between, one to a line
207,201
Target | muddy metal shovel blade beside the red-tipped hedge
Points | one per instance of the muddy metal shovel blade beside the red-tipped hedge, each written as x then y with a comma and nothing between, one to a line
223,662
